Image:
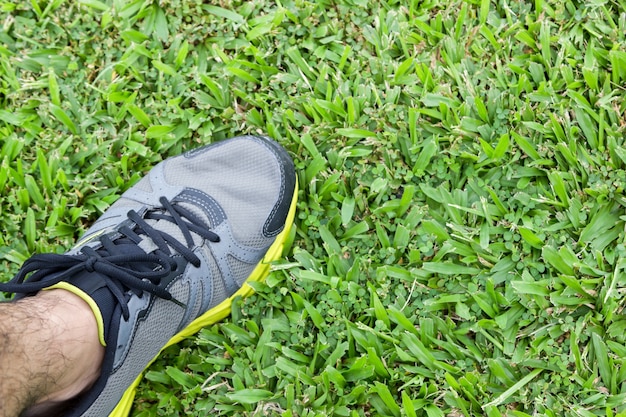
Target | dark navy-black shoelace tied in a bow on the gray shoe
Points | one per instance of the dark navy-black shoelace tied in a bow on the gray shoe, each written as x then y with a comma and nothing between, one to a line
121,263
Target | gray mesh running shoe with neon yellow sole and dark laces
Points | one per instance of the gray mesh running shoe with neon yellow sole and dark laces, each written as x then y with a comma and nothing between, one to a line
170,255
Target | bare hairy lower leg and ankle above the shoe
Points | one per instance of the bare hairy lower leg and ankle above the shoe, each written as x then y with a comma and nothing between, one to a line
49,351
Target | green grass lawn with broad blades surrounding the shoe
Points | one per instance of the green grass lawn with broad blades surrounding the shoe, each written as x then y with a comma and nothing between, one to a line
460,243
